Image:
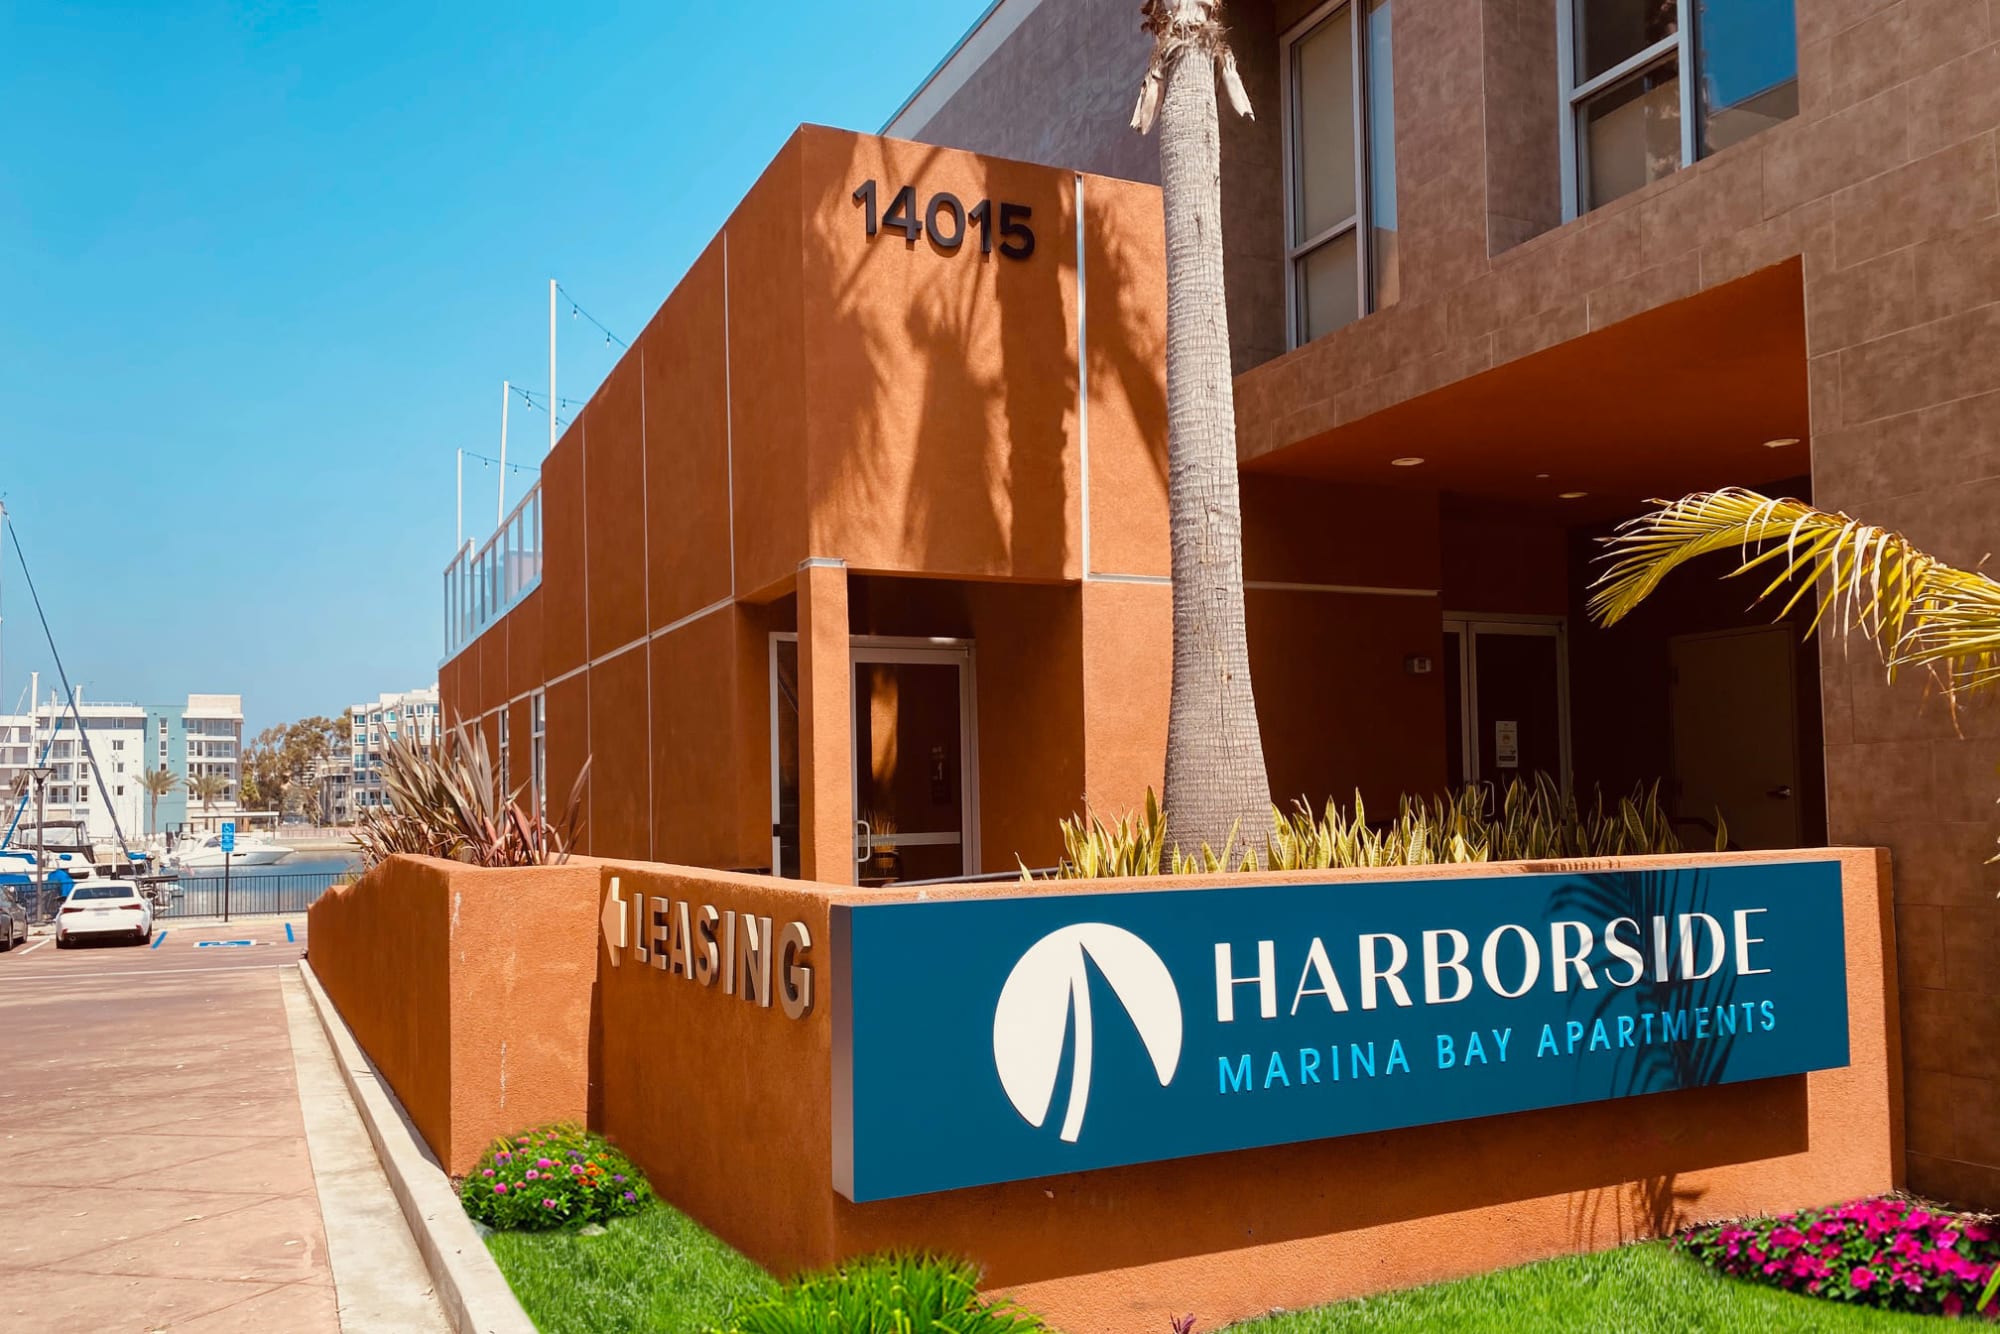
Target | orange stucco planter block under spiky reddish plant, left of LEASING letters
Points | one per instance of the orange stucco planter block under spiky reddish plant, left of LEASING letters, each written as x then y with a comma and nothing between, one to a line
469,989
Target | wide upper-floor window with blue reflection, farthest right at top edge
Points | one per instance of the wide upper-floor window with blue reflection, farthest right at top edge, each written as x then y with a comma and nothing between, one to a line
1633,117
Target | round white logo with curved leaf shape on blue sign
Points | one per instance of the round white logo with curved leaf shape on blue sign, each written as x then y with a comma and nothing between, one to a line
1051,989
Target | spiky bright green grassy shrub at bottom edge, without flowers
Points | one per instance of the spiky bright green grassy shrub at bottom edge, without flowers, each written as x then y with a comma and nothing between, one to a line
887,1295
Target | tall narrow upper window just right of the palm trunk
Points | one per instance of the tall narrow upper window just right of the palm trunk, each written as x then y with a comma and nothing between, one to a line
1341,167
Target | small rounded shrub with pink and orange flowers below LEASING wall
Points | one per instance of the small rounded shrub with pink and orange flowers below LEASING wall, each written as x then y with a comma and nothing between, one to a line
553,1177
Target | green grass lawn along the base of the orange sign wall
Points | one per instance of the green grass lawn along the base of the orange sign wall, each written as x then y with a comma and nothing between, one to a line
661,1273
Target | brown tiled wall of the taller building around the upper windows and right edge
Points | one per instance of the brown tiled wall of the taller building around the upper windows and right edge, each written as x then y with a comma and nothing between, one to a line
1887,189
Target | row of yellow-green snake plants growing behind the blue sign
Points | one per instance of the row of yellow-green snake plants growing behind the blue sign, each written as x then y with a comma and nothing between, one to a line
1531,819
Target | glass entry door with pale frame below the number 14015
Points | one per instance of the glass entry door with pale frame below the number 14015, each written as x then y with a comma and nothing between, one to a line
915,815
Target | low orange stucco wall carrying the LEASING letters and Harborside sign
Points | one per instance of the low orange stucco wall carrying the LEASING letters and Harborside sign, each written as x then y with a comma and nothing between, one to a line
729,1109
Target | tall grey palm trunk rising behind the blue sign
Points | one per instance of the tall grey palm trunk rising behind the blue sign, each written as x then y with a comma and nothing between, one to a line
1217,785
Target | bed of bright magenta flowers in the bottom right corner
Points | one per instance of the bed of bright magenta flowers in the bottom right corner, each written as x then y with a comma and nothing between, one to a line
1889,1253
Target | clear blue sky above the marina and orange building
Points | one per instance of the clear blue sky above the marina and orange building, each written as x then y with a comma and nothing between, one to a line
263,269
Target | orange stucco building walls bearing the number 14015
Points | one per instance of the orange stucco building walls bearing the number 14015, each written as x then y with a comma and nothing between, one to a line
811,393
